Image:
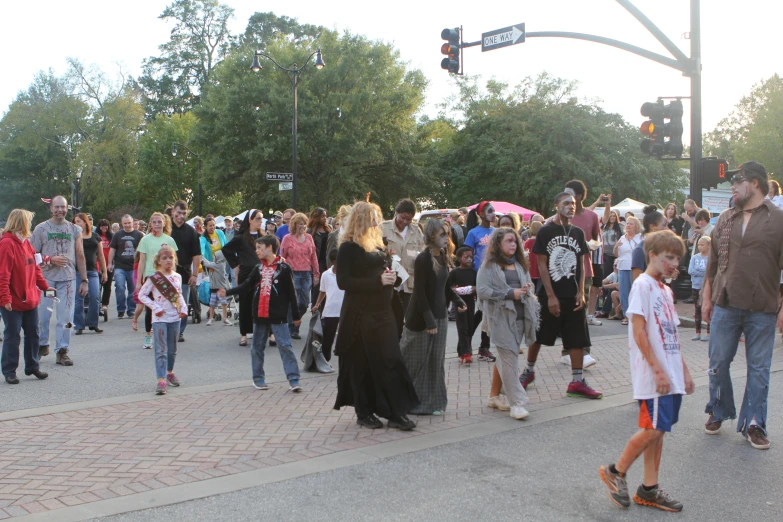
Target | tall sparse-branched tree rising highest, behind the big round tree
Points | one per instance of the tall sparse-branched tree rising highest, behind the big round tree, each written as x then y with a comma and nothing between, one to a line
176,80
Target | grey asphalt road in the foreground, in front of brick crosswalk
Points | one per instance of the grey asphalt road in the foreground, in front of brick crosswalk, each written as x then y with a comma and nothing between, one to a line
544,472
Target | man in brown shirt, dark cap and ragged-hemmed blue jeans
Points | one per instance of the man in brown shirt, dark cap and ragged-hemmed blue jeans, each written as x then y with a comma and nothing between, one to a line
740,295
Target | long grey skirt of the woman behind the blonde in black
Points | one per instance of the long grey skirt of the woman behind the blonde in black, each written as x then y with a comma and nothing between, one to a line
424,356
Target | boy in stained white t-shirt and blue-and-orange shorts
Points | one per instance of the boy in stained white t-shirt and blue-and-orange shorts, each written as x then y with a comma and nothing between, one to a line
658,372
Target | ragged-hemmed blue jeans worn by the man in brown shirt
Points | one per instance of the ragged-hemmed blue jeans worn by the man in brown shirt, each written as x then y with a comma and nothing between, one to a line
728,323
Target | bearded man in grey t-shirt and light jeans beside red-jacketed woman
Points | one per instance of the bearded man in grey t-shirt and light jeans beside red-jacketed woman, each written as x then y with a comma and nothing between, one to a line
60,245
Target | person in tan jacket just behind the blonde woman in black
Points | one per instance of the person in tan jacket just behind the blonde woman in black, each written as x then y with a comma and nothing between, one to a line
405,240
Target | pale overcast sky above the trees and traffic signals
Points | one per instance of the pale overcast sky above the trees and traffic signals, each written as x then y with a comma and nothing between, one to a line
740,42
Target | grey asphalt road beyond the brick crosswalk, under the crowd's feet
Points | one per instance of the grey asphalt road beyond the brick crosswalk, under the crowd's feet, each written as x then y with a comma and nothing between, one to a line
113,364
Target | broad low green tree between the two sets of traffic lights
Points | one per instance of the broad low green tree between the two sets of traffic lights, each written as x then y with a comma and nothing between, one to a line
523,144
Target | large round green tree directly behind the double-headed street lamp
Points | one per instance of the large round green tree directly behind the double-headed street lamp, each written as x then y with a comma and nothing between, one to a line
357,127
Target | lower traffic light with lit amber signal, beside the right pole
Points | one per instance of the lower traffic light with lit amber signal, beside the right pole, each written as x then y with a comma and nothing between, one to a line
658,130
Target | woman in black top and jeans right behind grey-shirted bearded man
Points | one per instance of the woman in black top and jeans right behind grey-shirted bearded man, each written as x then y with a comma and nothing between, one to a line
94,260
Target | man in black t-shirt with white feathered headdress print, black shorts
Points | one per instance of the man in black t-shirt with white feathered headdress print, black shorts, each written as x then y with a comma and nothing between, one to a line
560,248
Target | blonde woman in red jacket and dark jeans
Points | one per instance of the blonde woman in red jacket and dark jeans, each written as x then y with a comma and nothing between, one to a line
21,283
